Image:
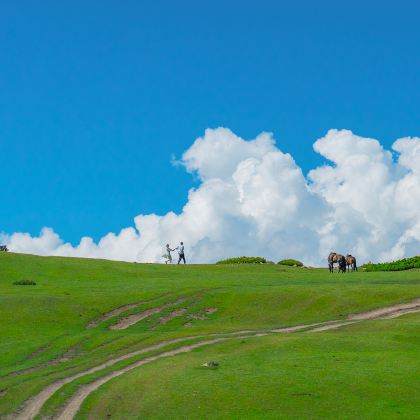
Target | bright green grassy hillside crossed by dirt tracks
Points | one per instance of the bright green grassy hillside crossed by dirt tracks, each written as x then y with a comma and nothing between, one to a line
56,341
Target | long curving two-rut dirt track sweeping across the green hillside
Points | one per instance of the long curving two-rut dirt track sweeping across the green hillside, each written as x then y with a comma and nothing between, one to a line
33,406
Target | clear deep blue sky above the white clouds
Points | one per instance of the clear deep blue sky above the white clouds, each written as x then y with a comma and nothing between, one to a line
95,97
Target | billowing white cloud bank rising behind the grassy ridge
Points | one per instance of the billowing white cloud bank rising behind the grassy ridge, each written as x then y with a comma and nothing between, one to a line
253,199
